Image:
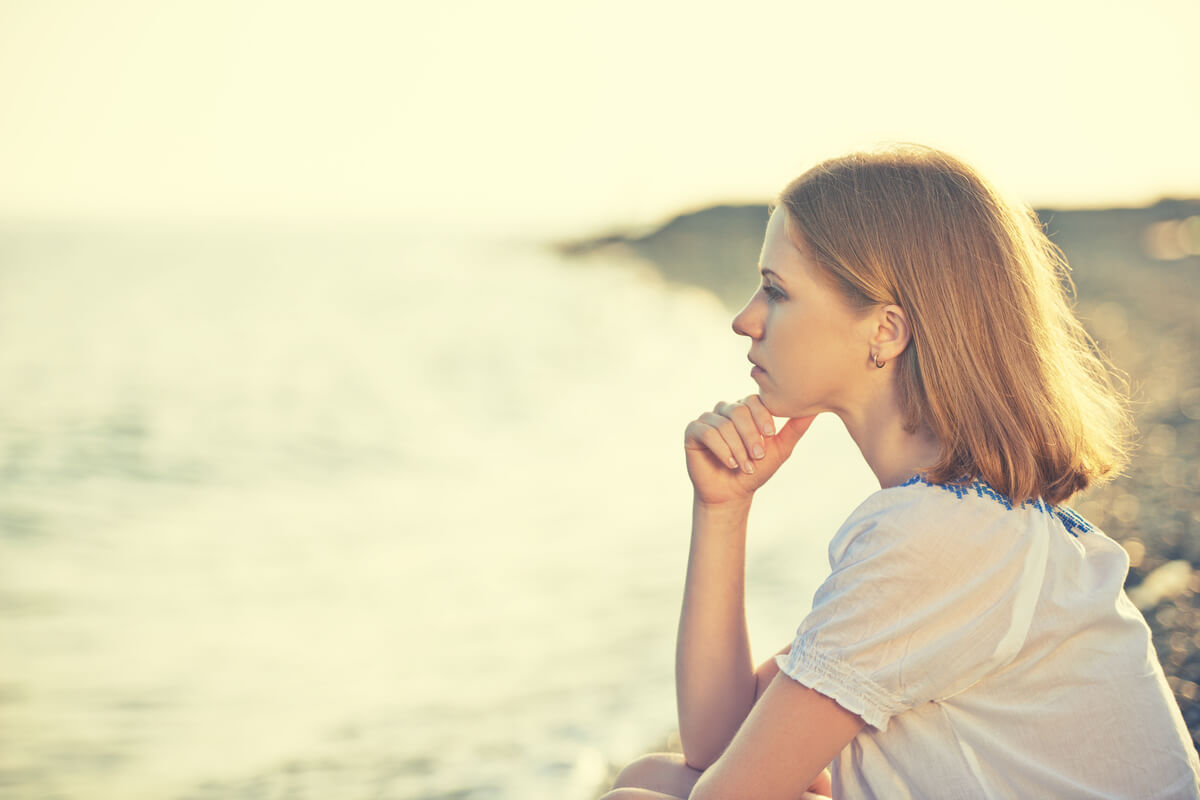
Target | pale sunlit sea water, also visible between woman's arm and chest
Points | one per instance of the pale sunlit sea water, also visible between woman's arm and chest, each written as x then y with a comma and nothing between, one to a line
358,515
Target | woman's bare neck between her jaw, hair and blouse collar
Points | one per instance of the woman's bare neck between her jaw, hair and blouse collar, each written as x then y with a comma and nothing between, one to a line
893,454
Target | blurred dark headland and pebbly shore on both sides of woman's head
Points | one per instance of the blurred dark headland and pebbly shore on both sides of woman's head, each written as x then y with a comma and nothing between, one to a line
1137,275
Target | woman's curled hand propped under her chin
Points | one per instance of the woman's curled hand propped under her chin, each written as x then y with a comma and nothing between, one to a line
734,450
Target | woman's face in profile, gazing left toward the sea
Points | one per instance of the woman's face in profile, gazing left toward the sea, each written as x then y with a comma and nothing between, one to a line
811,350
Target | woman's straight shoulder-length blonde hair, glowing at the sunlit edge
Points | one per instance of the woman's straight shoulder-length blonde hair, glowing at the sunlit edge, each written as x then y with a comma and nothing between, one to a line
998,368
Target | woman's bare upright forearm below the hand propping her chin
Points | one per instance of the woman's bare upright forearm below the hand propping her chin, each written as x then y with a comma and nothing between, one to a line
715,673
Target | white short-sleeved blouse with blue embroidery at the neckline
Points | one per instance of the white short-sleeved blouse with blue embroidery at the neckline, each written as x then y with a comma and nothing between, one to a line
992,652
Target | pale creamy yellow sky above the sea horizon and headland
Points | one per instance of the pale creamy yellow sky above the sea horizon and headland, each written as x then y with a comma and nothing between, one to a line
551,117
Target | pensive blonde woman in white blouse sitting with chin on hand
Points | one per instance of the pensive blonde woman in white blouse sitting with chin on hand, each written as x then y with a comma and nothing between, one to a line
973,639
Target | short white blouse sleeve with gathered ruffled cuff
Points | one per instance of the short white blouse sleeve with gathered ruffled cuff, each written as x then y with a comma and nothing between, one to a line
925,599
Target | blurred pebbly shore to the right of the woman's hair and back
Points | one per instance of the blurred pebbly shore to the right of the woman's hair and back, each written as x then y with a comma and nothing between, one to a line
1141,299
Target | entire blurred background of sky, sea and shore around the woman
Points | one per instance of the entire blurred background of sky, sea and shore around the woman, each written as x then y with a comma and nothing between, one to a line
346,352
